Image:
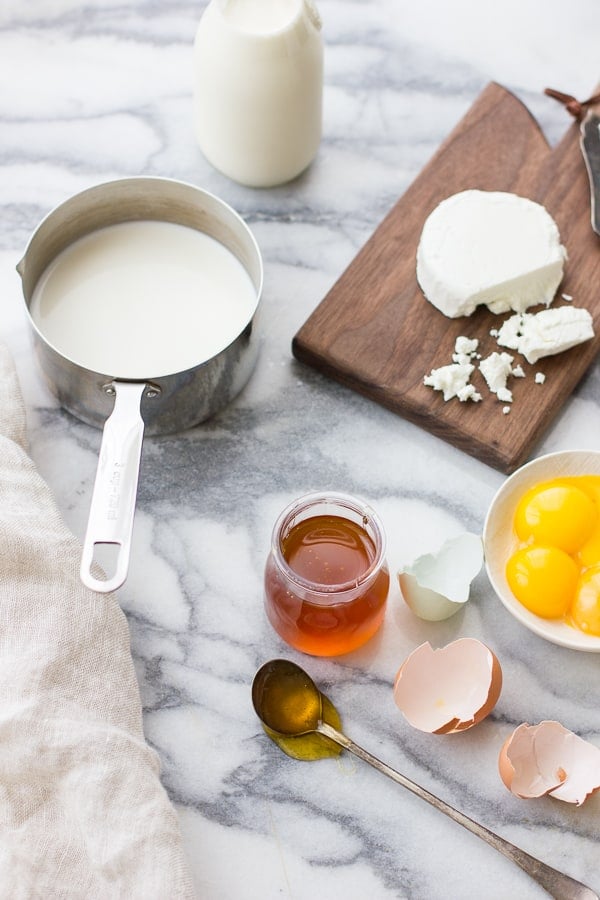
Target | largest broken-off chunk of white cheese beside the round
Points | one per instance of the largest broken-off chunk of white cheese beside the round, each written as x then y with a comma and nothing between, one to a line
546,333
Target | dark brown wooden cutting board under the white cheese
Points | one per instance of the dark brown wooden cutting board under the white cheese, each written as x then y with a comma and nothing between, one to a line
375,332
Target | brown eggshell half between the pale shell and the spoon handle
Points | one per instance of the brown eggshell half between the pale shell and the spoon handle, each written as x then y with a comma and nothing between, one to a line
450,689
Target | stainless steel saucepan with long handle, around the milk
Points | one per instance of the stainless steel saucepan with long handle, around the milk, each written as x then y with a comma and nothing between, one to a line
156,403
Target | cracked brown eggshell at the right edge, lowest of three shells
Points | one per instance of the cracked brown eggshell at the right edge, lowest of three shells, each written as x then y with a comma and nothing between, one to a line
548,759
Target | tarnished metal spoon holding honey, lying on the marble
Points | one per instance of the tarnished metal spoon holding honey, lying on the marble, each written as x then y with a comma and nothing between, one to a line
290,705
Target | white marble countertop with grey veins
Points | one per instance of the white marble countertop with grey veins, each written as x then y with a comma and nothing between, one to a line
98,90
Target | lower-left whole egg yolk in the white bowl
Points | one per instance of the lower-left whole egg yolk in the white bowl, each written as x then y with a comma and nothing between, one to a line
543,579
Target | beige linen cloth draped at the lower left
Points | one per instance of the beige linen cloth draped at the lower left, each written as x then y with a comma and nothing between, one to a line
82,811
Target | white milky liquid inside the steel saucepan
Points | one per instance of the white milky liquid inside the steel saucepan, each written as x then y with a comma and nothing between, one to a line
143,299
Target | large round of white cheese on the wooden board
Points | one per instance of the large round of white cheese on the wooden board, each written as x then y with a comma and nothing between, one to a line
489,248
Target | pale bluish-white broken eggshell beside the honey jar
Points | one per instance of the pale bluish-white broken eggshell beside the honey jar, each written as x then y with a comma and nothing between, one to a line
437,585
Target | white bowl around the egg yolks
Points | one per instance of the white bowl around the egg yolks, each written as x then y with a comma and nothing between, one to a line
500,540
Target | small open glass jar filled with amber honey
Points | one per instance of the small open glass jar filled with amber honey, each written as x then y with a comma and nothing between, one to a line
326,579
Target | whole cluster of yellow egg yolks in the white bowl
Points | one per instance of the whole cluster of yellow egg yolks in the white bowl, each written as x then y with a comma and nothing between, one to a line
555,572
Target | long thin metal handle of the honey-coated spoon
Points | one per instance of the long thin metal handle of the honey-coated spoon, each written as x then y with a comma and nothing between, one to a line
558,885
